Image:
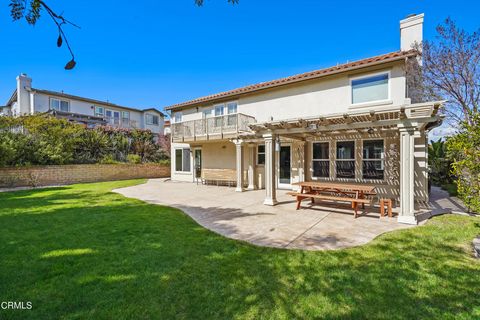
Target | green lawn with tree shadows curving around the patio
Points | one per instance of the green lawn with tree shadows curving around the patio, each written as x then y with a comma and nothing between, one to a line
82,252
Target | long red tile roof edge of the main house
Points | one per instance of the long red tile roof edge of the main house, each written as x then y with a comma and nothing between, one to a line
384,58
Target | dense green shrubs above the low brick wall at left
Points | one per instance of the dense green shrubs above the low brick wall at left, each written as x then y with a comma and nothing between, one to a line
44,140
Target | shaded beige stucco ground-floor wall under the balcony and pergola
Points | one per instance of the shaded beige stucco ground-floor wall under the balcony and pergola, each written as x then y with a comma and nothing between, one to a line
222,155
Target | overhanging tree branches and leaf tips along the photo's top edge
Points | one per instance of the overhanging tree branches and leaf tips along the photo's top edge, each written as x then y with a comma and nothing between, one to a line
31,10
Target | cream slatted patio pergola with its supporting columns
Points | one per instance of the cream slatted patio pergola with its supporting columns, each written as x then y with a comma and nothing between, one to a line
408,120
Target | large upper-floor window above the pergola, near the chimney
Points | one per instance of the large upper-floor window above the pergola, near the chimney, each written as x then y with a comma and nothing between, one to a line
368,89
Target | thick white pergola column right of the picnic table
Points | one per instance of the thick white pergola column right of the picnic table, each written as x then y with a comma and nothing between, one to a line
407,175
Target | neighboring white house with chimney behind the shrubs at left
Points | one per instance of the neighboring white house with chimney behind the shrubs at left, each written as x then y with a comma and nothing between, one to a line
91,112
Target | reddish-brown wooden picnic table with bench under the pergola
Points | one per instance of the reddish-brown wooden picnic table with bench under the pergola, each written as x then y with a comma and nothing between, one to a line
330,191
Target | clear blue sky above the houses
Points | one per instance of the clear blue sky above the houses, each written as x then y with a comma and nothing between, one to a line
156,53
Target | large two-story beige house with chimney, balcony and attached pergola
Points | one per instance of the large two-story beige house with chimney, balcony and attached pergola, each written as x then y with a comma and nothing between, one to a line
358,122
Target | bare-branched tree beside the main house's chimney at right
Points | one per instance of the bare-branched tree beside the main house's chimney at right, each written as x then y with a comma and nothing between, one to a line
451,71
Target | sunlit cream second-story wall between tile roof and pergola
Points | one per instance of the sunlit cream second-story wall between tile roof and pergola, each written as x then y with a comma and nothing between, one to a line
328,95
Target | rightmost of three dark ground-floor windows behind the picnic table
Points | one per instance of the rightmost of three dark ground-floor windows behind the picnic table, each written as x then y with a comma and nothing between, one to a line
373,159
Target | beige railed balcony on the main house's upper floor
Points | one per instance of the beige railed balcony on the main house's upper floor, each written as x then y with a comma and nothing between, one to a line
214,128
